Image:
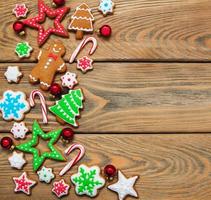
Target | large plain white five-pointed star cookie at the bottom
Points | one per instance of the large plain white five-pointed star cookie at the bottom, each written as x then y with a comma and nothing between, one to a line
124,186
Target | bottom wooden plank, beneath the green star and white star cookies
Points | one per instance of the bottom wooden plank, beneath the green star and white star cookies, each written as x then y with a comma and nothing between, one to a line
173,167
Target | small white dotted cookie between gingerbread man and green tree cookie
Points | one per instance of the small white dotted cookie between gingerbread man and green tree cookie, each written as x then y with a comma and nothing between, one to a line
69,80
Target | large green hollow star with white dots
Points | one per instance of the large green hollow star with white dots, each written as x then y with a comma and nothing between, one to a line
30,146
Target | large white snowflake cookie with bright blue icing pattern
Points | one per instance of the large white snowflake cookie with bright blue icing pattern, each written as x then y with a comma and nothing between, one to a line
13,105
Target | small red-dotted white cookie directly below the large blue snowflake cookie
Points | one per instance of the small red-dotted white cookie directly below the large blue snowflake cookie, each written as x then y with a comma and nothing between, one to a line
19,130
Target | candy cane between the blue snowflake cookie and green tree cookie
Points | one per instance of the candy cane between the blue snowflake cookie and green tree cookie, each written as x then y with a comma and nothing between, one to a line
43,104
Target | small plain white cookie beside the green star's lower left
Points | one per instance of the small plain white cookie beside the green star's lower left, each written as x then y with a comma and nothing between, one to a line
16,160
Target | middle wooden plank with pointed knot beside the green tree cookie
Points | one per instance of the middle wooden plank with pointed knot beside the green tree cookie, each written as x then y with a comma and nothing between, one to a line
135,97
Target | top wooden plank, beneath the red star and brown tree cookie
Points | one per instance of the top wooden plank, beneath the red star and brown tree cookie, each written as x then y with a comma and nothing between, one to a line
142,30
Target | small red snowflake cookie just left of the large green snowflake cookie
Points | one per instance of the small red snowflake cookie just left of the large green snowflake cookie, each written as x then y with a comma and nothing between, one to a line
60,188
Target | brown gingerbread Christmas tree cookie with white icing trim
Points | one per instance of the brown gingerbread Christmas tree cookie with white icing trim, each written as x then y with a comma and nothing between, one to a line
82,21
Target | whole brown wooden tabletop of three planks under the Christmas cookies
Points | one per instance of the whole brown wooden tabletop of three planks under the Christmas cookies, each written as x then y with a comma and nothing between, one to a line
148,100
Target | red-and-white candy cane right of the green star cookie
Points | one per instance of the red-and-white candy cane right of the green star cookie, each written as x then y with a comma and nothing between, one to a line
75,160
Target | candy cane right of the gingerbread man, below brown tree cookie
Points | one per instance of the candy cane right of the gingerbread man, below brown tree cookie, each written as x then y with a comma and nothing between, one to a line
82,45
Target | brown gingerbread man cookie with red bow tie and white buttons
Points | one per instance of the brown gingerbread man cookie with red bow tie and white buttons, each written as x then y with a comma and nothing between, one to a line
50,62
